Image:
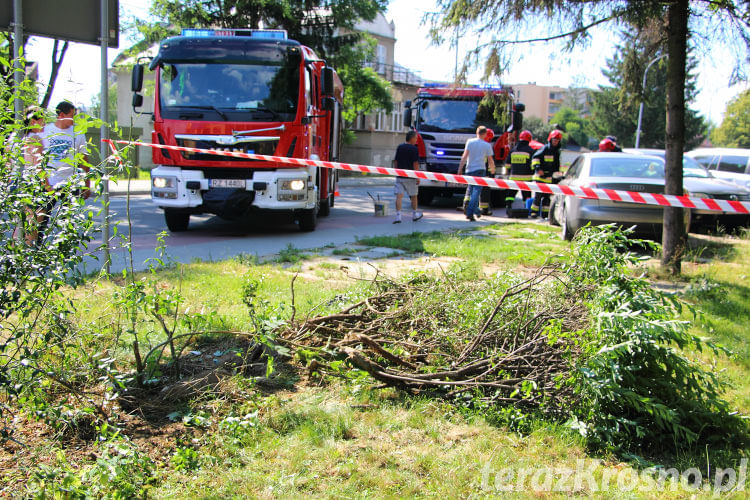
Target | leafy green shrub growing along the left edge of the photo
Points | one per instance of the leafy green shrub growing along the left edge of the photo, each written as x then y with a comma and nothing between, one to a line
40,349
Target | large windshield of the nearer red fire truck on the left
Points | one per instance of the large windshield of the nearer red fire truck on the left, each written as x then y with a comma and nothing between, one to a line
258,91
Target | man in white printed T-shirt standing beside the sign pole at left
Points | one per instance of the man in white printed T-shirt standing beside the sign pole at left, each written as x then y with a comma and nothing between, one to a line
63,148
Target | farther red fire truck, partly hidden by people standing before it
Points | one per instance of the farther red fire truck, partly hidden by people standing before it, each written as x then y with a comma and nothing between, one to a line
445,117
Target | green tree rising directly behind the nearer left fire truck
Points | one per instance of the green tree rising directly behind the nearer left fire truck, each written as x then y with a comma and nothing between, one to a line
326,27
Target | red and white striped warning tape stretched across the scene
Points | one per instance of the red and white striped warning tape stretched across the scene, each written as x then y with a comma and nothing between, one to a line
664,200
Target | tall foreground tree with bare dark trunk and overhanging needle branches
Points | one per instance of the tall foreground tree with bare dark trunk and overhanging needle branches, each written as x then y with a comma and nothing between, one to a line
505,22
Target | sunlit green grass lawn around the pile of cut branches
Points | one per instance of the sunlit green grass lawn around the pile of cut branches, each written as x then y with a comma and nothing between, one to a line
292,435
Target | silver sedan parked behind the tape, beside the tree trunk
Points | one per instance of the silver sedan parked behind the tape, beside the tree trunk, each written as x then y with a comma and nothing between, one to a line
620,171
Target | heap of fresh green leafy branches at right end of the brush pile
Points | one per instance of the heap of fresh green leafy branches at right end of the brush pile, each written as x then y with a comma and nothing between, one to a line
638,388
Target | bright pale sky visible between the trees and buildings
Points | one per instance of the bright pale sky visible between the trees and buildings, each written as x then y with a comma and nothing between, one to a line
79,76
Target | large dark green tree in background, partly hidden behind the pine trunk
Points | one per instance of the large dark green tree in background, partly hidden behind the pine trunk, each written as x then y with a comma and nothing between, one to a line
615,108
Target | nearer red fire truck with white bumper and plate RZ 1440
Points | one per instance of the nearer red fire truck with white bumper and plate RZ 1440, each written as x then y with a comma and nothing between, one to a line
242,90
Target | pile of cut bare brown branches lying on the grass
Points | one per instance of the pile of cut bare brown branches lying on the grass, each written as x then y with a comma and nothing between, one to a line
501,340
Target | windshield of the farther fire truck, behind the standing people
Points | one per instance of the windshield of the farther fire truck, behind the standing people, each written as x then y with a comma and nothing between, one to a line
456,115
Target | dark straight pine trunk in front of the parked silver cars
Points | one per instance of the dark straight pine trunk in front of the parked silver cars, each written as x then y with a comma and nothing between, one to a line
674,237
